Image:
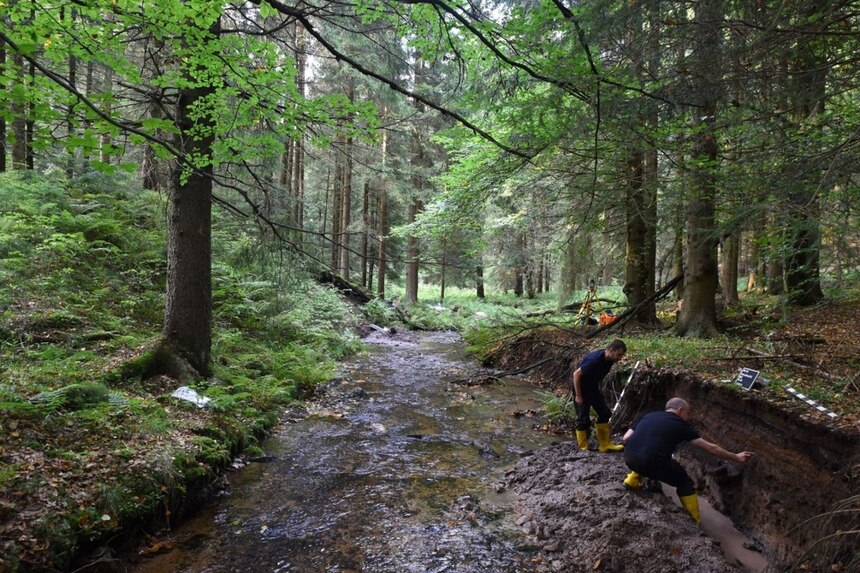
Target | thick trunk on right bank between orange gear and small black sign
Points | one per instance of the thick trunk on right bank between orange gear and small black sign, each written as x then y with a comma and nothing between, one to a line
698,314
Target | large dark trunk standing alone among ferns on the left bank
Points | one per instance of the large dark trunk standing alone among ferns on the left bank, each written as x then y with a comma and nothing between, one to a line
188,310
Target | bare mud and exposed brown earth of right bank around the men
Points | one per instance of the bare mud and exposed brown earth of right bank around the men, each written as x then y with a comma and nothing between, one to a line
797,500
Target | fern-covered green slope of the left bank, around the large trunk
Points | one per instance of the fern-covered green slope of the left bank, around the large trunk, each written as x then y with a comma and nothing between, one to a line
91,442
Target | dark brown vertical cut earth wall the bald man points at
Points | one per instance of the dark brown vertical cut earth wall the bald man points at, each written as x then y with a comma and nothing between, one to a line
784,496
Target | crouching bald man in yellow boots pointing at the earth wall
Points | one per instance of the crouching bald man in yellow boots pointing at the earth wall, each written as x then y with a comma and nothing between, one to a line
649,445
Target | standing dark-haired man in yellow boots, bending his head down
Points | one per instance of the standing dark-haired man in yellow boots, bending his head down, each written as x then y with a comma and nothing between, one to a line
586,387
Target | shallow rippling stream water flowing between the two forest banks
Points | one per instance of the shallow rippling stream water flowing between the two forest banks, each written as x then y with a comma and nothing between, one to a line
398,476
